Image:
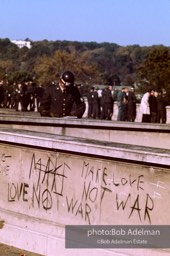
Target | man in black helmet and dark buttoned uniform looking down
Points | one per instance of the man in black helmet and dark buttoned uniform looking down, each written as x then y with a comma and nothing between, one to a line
58,99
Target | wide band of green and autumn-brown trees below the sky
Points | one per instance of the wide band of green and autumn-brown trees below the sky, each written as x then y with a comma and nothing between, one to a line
91,62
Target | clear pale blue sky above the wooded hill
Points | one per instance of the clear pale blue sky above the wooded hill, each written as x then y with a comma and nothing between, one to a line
124,22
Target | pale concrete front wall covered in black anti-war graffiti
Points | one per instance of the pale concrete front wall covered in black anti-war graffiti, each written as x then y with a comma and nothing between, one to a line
49,181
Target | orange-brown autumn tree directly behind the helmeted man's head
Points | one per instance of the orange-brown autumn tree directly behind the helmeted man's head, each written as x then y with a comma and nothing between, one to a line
49,68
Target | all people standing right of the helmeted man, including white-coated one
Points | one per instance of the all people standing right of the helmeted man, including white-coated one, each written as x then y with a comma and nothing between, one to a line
101,102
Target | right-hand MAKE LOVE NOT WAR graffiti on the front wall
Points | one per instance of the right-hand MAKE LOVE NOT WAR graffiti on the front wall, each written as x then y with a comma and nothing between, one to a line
98,183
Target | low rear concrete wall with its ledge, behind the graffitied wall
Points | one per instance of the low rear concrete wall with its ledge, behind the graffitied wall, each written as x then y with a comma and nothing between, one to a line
151,135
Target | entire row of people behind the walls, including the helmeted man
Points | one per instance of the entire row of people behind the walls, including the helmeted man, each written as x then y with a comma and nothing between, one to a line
62,96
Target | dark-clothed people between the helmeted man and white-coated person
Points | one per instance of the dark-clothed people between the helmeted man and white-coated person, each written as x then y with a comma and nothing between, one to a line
100,103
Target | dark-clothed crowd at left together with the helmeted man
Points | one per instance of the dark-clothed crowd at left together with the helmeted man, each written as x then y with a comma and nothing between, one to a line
57,99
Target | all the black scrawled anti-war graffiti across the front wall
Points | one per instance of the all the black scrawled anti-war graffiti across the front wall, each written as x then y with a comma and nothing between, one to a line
52,183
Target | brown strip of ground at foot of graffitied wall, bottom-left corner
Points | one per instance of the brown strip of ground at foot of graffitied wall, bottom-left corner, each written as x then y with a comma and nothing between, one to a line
6,250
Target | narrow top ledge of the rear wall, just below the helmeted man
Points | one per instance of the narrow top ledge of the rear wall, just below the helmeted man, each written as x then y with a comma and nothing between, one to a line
82,123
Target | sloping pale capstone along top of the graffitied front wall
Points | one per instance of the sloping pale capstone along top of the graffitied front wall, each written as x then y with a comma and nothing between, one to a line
125,152
